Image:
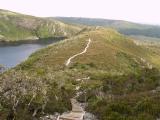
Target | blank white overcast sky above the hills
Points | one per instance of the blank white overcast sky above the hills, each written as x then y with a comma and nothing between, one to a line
142,11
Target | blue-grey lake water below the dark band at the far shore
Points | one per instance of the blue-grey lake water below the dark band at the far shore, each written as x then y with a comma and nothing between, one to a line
11,55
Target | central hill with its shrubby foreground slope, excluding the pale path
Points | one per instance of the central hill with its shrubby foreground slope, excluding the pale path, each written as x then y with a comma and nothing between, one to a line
113,71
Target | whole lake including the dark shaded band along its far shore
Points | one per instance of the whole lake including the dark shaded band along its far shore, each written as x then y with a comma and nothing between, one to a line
13,53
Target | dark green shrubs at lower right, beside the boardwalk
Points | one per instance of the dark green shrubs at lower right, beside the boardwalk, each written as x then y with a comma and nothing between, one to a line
127,97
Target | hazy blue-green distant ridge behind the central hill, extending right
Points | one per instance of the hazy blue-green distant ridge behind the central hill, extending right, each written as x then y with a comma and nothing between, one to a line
124,27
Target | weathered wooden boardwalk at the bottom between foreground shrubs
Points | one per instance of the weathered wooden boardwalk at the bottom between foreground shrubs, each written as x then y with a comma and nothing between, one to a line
77,112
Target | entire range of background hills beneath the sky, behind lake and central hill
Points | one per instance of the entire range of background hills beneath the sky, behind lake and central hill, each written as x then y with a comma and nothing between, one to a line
15,26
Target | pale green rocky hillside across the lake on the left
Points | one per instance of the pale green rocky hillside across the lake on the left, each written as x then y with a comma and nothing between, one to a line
15,26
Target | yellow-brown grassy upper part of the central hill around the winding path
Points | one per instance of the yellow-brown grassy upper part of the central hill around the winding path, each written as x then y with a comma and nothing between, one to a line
109,51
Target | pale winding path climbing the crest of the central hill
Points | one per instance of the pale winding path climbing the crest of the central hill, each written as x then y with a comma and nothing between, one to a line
84,51
